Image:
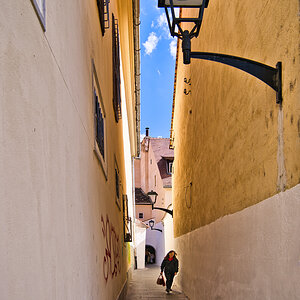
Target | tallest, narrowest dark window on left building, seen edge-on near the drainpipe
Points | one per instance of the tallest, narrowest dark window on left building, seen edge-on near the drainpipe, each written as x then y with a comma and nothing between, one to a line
116,69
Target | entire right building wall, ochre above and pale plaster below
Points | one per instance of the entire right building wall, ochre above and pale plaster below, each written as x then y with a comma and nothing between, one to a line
237,155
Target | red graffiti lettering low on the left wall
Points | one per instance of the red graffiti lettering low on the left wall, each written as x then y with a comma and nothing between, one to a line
111,260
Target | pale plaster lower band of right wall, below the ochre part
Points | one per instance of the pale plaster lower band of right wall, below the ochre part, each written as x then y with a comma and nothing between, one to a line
252,254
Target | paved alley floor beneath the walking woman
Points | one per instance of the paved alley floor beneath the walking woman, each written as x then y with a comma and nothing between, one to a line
143,286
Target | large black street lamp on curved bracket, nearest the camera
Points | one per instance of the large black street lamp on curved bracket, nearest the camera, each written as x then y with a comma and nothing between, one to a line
271,76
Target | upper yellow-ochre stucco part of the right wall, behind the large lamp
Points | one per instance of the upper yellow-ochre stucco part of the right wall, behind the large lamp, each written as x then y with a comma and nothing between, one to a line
227,129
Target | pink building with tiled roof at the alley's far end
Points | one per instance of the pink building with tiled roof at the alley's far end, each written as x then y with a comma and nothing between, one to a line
153,172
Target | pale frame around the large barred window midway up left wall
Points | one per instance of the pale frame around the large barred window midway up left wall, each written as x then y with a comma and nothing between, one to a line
96,87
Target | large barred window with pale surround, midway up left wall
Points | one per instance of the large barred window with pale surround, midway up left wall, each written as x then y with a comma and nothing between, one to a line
99,123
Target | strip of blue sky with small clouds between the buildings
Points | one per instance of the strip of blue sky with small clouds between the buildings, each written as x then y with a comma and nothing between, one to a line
158,50
